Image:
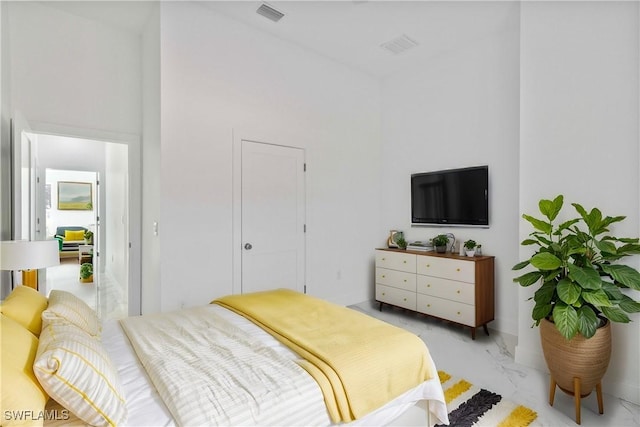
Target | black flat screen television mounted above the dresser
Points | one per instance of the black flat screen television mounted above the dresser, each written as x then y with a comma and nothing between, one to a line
456,197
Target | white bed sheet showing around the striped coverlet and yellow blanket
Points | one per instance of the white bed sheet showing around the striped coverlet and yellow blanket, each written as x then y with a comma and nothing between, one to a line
146,408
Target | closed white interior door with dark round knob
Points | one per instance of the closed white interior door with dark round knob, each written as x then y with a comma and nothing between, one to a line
272,217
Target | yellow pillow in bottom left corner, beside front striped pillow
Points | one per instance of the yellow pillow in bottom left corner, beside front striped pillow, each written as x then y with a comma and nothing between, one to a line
23,399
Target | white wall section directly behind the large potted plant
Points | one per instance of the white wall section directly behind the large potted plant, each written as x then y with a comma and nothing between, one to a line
579,137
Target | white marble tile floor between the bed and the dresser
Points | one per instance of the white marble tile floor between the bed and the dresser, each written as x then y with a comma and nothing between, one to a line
488,362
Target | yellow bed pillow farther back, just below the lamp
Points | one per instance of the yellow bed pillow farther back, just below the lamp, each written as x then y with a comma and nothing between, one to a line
25,305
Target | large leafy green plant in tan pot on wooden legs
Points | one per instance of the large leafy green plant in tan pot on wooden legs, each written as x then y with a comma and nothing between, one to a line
580,280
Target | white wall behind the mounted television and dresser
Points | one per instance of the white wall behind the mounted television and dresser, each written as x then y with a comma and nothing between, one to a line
460,110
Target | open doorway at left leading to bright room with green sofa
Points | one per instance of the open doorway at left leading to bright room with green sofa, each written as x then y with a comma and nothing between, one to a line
96,164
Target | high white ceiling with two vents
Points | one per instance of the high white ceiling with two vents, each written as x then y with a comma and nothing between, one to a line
346,31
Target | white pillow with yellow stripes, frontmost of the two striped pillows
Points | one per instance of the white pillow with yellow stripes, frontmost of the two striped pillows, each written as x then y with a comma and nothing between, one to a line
75,370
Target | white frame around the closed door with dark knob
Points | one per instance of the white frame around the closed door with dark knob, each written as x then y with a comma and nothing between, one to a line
237,139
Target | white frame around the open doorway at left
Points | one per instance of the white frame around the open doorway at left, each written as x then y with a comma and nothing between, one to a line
132,141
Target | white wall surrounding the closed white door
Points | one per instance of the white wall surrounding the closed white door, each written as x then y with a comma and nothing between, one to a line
219,77
